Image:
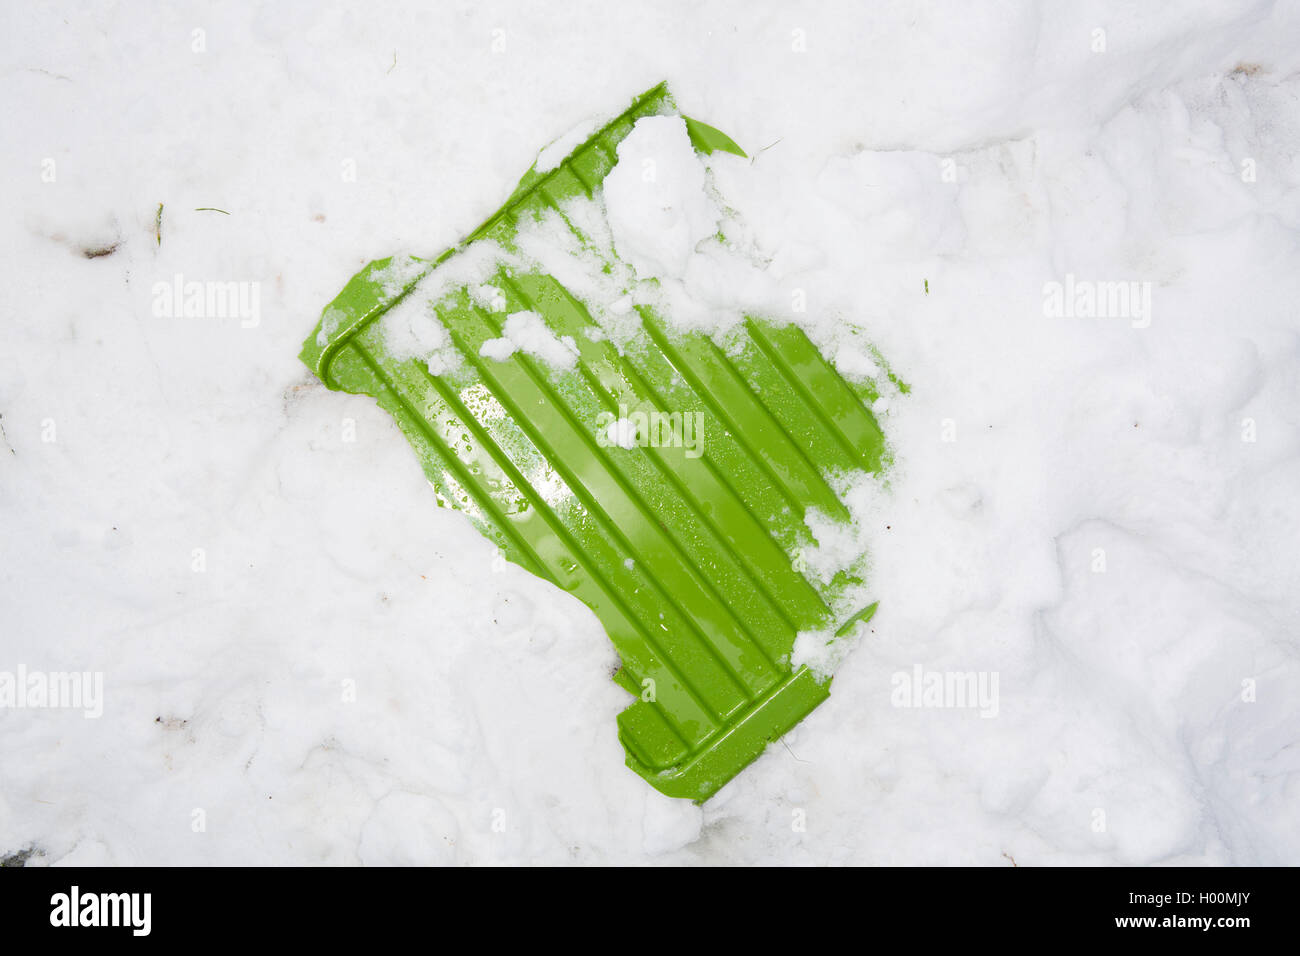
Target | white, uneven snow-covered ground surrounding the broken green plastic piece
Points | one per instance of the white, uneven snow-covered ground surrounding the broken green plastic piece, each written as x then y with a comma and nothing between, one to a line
1149,712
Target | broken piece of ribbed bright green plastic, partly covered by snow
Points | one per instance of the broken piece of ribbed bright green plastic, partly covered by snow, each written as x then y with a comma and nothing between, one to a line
688,552
